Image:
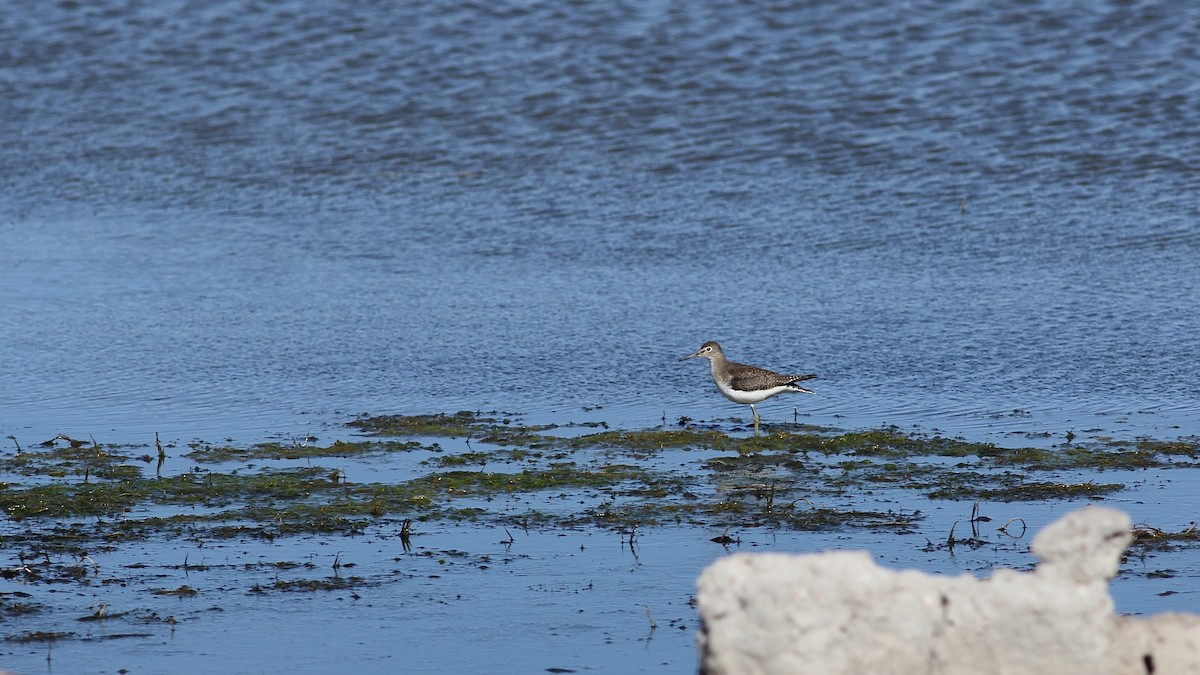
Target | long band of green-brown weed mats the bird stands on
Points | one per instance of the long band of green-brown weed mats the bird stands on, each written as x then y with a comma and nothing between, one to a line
93,481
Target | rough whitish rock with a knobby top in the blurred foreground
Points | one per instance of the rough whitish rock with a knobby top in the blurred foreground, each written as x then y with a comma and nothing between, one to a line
839,613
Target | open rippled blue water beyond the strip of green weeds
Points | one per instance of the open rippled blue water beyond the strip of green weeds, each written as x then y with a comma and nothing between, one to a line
261,219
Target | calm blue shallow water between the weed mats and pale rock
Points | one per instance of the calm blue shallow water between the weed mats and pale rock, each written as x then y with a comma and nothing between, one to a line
501,599
